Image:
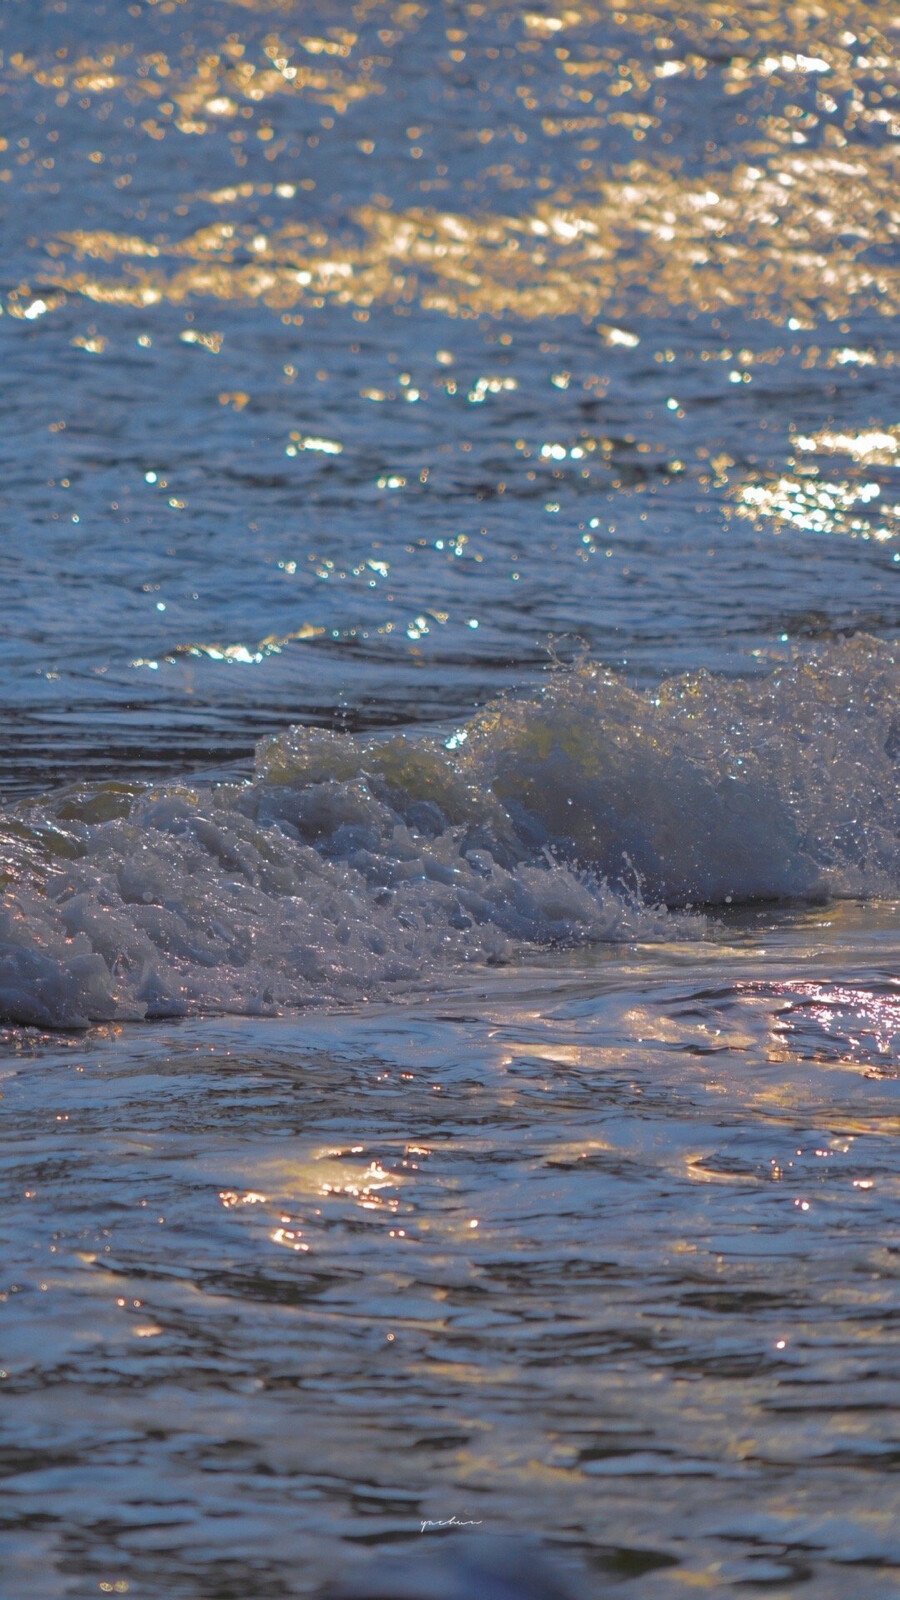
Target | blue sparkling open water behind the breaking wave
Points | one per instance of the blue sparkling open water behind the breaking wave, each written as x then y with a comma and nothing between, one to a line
502,247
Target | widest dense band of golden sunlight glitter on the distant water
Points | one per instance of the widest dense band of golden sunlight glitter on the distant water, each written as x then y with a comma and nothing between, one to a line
761,241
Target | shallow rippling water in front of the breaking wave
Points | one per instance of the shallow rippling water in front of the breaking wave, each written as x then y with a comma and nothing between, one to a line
605,1247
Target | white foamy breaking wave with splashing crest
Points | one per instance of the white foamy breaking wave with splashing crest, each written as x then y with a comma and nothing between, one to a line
353,866
